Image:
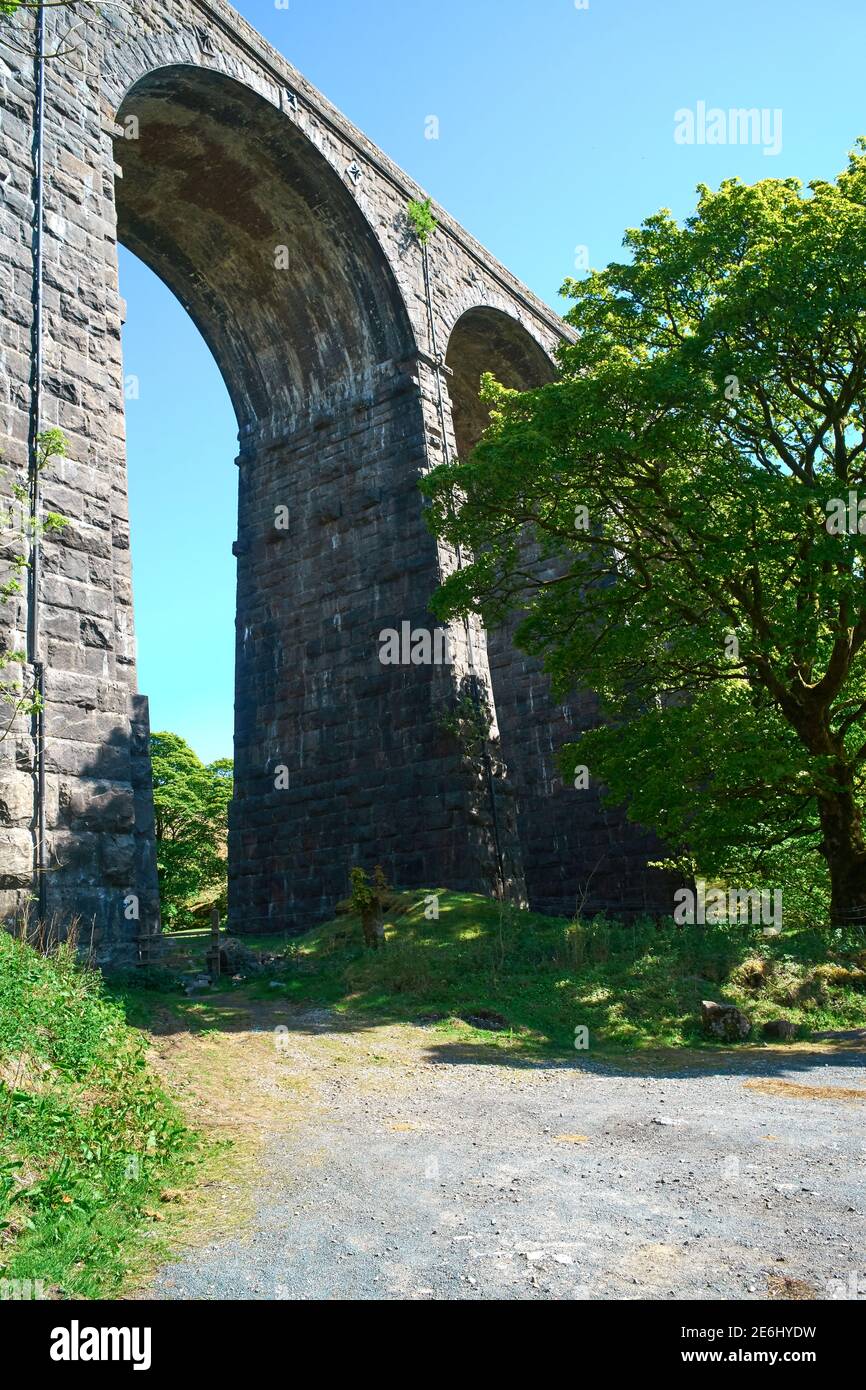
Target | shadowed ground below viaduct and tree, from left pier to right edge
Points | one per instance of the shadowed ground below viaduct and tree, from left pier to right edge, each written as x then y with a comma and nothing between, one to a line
636,988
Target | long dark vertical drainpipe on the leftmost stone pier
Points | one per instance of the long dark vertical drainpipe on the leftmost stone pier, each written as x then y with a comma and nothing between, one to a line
35,566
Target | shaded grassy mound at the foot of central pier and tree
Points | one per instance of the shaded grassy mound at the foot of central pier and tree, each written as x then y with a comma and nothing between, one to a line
637,986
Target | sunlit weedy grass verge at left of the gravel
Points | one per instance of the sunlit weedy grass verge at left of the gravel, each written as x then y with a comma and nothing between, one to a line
91,1147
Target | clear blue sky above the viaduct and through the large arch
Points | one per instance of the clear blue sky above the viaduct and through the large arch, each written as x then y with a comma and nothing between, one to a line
557,131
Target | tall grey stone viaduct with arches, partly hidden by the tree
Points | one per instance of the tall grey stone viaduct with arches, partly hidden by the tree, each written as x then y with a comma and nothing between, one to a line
352,359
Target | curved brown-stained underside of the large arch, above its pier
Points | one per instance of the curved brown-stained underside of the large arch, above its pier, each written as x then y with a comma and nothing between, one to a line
245,220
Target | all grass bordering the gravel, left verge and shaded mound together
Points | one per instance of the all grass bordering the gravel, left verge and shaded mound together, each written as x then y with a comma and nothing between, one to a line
95,1156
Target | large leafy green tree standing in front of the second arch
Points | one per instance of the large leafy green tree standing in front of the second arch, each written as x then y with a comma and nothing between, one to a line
679,521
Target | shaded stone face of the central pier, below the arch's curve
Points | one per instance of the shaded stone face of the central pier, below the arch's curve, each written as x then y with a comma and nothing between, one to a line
369,776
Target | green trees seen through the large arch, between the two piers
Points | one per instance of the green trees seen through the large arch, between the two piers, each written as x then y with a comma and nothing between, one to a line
191,803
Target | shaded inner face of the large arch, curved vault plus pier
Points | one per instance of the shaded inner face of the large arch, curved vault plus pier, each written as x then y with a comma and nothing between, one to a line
338,761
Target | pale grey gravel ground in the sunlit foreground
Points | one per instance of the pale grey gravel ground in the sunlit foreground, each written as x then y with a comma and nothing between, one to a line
411,1167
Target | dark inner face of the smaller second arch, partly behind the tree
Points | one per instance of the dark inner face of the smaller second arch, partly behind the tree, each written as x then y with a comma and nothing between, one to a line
578,854
